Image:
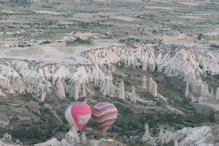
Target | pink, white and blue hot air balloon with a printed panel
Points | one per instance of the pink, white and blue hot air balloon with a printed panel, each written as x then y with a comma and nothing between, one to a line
78,114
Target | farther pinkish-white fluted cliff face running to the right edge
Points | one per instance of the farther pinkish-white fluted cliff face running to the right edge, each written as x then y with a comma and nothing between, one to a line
189,63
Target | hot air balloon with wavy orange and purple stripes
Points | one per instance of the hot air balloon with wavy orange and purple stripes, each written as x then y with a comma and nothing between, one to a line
104,115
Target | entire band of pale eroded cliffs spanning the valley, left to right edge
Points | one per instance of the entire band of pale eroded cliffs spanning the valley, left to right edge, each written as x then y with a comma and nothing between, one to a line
38,79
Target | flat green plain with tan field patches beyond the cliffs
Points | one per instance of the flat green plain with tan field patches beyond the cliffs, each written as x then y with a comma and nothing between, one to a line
129,18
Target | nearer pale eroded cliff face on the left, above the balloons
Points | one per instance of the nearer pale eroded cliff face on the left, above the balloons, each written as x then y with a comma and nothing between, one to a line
38,79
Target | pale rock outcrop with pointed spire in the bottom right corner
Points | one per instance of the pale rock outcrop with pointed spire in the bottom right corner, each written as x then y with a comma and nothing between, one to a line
186,136
